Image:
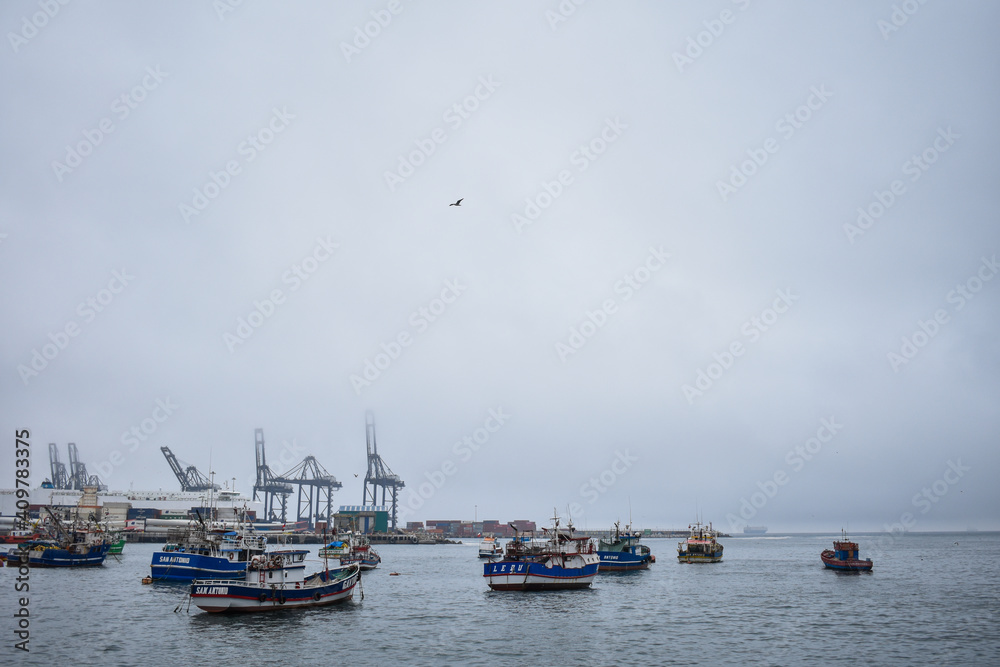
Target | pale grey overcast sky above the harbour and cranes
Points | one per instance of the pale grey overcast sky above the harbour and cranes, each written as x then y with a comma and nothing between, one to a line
693,237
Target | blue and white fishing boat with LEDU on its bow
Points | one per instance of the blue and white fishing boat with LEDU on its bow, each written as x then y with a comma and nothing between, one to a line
563,561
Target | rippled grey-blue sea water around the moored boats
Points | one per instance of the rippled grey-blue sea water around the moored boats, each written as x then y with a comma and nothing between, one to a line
931,599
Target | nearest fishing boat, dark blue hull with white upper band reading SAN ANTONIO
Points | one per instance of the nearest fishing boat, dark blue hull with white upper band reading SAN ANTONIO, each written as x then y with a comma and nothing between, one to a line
276,581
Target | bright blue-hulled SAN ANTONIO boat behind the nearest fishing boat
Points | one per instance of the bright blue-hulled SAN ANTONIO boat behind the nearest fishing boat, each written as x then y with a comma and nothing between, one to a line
201,551
